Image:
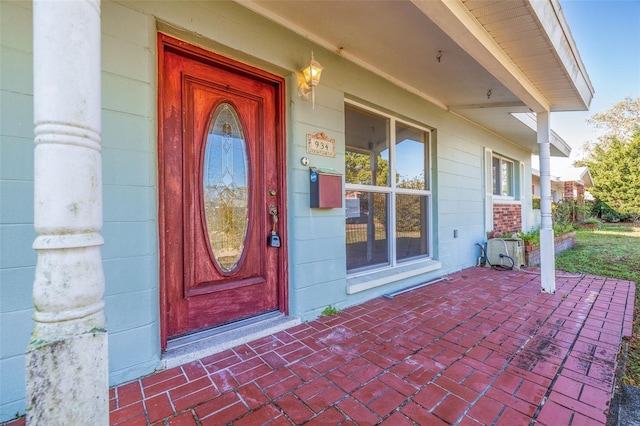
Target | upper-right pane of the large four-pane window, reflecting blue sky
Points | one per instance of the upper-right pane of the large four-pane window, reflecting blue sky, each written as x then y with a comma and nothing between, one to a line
410,157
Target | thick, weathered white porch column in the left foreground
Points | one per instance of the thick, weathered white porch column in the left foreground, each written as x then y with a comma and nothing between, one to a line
67,359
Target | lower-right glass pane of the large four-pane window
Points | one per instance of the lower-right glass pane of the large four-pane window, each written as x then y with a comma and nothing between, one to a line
411,226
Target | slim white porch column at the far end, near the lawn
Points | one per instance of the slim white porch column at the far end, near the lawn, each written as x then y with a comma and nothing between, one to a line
547,247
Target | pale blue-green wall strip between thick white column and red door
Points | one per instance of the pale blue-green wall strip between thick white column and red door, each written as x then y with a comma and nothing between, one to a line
130,253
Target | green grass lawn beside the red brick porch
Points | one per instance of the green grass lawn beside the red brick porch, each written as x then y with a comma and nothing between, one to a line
612,251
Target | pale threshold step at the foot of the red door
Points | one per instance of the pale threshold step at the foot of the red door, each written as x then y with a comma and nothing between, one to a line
204,343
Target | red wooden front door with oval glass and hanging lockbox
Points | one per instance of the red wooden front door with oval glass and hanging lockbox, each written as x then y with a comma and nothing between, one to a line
221,183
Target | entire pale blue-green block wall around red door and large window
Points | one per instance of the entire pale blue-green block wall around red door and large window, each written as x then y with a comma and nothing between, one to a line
317,255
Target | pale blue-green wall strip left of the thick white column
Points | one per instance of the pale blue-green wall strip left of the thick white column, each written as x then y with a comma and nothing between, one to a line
17,259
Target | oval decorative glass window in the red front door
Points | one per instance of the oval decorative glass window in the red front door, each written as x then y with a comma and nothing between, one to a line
225,187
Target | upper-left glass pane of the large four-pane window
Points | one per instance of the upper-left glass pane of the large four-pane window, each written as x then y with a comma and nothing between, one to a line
367,151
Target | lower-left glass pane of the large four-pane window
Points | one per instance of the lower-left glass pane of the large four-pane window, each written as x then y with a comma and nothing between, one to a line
367,228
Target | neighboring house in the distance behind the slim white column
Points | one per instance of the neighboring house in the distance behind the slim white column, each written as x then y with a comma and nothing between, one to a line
571,185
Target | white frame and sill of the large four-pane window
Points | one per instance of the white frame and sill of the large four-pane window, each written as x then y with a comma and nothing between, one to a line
354,277
